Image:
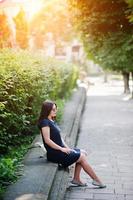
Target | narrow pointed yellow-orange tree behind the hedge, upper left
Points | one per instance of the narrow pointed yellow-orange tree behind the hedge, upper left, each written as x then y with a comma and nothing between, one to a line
21,29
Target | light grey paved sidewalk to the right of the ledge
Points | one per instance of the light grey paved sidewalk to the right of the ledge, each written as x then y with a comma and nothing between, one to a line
107,134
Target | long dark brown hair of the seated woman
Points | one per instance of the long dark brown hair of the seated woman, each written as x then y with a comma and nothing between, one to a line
45,110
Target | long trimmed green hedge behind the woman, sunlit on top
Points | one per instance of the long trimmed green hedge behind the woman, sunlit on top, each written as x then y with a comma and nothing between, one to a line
26,80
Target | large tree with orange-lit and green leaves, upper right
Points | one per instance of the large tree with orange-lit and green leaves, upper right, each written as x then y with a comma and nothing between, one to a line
106,33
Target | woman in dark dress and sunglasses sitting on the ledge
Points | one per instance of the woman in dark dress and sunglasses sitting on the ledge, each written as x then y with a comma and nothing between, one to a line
58,151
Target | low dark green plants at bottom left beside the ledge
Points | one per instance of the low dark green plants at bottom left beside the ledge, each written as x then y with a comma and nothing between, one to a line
11,166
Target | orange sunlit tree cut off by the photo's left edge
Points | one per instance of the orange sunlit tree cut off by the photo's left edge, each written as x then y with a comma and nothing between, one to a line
5,32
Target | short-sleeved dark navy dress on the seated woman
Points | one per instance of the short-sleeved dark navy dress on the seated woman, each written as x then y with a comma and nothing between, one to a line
54,155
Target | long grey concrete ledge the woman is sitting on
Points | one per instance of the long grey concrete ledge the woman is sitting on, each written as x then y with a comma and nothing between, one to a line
41,179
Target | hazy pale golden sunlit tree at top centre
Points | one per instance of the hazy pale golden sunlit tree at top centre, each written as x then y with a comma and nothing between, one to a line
54,18
